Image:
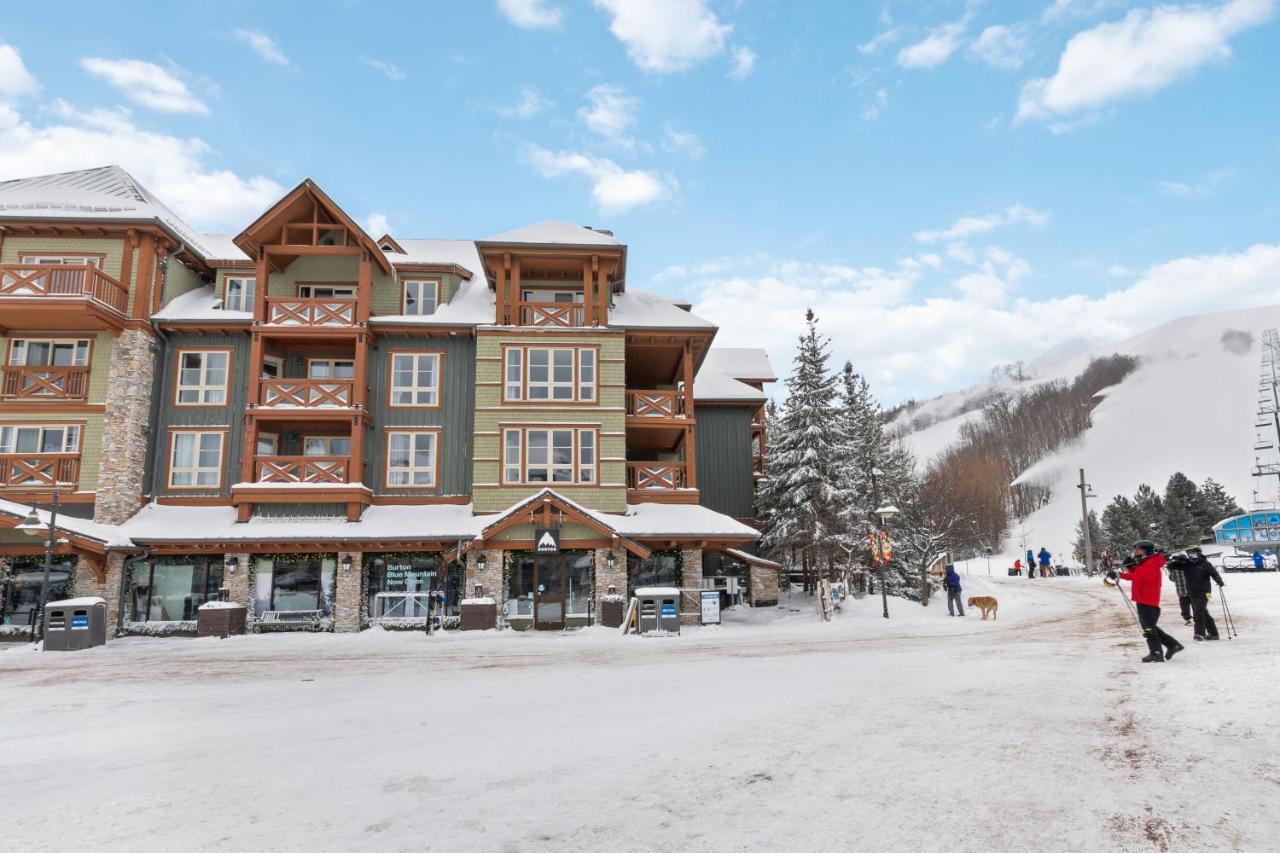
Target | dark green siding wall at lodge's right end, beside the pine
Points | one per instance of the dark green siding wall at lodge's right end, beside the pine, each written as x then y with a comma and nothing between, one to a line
725,478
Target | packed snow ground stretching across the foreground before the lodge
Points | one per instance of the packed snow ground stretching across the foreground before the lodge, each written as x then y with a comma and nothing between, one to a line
774,732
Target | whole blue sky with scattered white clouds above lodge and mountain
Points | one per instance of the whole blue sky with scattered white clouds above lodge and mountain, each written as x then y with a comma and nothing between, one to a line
950,185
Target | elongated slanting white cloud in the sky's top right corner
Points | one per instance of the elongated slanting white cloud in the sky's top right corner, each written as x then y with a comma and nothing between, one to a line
1136,57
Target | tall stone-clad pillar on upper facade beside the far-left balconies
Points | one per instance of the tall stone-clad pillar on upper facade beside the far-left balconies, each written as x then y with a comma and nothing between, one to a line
122,467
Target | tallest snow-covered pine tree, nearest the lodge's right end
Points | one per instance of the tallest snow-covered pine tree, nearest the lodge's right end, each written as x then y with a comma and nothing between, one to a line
802,492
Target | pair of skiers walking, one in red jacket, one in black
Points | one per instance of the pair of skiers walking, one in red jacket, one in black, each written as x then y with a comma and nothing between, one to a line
1192,574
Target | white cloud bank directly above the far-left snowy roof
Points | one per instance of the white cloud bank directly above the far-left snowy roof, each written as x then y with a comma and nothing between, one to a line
175,168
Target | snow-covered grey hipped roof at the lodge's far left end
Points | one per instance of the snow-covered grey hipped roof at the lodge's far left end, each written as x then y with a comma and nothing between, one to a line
106,194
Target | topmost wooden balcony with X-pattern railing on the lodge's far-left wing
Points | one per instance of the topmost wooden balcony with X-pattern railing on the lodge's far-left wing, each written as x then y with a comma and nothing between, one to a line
40,297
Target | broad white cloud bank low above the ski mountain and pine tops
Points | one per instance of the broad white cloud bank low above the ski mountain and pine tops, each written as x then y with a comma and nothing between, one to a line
916,345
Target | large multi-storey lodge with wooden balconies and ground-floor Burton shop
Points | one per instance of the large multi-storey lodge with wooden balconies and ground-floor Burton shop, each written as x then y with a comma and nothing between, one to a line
305,419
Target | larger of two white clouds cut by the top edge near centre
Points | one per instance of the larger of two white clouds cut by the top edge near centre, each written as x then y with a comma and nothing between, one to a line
666,37
